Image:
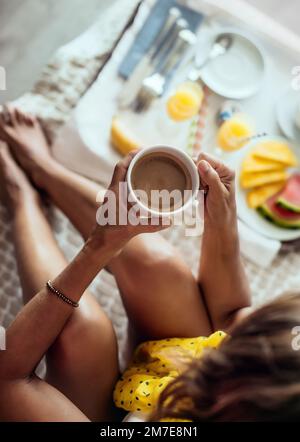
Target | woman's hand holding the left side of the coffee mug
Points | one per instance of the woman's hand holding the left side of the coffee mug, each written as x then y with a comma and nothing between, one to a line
115,201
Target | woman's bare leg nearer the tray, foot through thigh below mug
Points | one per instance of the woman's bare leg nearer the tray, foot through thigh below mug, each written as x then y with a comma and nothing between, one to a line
160,294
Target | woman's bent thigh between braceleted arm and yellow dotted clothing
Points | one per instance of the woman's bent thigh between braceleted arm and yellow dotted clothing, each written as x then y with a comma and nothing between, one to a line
83,361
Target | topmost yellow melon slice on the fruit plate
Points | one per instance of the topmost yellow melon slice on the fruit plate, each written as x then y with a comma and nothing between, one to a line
275,151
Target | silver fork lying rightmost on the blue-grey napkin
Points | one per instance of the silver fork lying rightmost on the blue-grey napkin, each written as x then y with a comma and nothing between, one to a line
154,85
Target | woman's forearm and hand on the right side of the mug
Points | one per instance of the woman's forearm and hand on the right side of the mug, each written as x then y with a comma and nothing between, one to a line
221,275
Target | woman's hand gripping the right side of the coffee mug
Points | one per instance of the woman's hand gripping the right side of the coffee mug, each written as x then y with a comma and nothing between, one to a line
217,180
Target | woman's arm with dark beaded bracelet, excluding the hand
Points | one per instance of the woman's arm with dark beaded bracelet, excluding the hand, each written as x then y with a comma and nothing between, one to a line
43,318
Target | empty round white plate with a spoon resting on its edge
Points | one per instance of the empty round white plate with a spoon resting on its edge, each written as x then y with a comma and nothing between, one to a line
239,72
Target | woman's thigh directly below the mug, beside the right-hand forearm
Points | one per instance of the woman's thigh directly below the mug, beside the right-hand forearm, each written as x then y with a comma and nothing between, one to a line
160,294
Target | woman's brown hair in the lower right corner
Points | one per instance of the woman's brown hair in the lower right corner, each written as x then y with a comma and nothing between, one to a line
254,375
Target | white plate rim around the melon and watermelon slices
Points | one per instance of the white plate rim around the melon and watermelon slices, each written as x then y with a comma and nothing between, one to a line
250,216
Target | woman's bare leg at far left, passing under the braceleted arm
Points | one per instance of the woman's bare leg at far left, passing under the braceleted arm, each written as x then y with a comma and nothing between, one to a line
82,363
